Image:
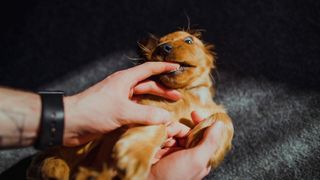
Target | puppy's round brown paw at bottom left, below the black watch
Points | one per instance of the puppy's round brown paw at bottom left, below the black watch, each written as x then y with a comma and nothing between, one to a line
55,168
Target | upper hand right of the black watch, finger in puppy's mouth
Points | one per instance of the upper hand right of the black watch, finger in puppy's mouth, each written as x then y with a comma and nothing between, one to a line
109,105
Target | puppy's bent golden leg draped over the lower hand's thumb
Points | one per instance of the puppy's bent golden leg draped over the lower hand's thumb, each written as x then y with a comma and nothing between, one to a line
224,144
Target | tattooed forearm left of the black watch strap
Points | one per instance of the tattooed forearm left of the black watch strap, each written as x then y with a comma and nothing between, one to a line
19,118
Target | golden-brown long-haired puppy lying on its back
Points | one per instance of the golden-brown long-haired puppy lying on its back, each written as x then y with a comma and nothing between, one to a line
127,153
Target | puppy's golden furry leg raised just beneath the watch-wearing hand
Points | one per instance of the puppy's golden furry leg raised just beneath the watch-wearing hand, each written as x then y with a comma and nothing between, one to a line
135,150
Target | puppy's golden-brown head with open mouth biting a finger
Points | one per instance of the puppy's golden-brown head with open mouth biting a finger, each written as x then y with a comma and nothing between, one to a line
185,48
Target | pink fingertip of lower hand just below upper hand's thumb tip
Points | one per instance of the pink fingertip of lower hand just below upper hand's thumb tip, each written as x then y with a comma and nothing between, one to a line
176,129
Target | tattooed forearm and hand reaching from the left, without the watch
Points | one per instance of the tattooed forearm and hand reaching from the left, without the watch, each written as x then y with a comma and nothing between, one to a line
98,110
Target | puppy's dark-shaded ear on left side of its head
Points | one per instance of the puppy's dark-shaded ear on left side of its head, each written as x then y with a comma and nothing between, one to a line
147,45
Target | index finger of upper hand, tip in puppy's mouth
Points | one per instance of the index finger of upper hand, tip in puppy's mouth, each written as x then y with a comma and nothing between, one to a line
145,70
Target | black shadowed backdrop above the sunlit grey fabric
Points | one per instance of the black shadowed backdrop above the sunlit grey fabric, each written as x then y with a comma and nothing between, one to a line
41,40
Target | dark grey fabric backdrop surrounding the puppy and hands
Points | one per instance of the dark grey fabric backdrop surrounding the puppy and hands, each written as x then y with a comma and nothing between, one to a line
268,60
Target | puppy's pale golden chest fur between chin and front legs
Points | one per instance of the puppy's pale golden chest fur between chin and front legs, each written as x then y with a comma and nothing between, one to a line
199,99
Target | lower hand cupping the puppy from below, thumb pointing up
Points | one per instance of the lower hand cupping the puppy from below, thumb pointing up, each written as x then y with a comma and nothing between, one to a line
178,162
